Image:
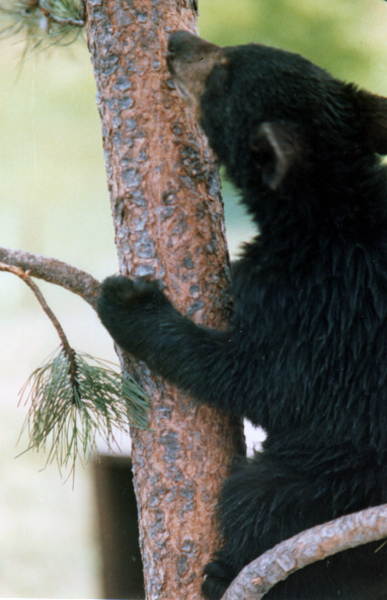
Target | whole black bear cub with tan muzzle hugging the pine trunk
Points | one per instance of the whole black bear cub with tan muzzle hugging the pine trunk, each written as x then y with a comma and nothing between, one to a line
305,355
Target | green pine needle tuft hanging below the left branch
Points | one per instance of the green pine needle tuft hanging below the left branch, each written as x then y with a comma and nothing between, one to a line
68,409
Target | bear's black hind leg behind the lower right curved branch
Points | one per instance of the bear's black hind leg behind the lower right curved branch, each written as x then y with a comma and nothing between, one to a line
265,502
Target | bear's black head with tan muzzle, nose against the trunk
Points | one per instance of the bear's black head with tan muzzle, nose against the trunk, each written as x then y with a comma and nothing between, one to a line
274,118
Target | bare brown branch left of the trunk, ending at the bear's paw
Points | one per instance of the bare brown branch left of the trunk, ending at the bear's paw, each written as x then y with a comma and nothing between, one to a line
54,271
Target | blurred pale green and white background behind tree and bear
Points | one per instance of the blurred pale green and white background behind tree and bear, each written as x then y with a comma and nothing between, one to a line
54,201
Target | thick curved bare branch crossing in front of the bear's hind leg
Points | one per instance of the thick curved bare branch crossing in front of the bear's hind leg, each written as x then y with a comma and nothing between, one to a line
307,547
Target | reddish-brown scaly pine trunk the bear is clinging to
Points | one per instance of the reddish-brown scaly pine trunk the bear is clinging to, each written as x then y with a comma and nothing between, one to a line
169,225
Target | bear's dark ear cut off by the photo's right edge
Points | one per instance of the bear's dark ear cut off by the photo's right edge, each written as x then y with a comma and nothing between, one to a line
374,113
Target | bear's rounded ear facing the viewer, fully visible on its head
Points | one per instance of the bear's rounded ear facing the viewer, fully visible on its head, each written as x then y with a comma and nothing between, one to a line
276,147
